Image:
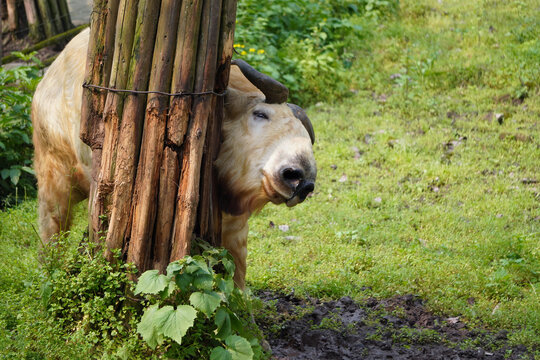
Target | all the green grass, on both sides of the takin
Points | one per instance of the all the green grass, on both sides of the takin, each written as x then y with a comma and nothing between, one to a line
420,189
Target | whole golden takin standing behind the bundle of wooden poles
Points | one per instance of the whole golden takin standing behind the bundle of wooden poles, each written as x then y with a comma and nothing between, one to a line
266,153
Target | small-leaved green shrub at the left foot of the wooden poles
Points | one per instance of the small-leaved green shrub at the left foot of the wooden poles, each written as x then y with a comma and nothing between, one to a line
87,297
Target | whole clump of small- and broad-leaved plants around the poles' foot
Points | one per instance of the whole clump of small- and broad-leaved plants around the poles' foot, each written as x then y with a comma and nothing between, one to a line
193,312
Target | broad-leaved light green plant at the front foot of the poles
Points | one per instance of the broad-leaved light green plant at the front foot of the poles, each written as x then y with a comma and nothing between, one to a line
196,312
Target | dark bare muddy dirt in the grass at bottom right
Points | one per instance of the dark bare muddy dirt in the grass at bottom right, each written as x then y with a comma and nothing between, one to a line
396,328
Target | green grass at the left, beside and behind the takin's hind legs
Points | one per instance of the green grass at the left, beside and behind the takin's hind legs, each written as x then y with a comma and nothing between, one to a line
26,331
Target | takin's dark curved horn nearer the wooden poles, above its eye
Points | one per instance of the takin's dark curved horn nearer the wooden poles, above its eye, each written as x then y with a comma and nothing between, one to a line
275,92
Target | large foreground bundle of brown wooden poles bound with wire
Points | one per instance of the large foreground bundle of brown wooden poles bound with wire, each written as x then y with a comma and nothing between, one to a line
153,146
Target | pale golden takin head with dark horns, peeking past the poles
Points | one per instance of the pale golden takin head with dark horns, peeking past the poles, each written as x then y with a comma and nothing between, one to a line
266,154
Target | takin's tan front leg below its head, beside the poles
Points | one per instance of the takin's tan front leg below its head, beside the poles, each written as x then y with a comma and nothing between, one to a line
234,239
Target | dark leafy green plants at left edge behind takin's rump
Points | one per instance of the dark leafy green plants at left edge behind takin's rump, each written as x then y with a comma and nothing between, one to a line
16,88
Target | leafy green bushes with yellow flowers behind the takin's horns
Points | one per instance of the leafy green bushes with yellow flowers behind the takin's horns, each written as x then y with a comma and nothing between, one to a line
306,45
